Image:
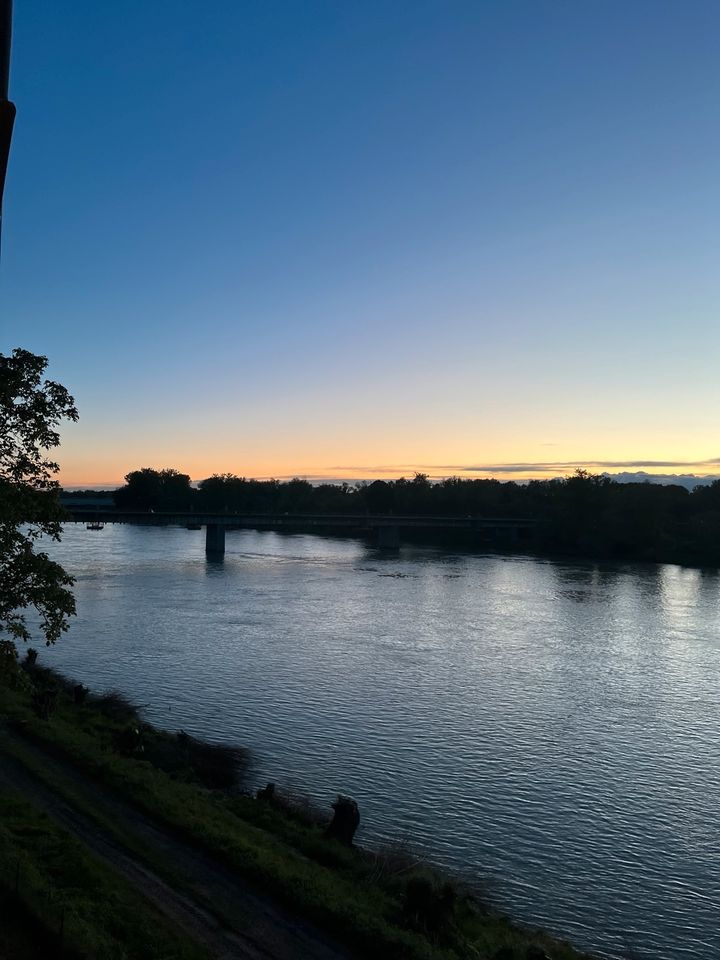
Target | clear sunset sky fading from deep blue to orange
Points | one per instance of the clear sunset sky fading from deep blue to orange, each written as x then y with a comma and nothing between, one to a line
362,239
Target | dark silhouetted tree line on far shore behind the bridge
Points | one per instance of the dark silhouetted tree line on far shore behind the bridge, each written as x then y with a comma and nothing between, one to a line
581,515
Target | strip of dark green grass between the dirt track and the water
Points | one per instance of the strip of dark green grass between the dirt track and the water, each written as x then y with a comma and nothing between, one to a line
384,904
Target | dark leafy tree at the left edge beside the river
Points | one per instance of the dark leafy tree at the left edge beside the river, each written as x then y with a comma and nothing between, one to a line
30,411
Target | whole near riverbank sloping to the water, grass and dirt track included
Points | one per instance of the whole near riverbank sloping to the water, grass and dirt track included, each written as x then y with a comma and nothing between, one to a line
141,818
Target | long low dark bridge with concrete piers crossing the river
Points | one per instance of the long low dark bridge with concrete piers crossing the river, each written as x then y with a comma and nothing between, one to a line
386,527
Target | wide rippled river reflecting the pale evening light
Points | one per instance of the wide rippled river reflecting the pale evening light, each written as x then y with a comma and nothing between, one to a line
550,728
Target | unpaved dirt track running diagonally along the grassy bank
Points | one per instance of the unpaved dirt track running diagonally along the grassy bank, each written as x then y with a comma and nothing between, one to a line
211,903
